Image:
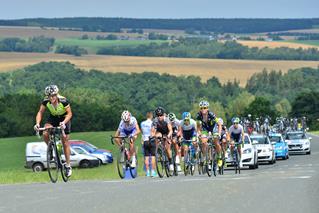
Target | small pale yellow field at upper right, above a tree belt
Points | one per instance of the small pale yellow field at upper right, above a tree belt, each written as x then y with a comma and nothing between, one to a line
275,44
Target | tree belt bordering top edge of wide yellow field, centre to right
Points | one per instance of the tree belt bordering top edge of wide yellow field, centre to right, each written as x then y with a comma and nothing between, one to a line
201,48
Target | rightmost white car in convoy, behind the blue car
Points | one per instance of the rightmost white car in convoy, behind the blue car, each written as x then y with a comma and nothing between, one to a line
298,142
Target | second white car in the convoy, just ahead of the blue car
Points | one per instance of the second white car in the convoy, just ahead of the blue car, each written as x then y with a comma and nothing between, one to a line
266,151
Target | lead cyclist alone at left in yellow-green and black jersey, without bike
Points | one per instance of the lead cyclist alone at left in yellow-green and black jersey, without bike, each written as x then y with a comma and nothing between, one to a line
60,115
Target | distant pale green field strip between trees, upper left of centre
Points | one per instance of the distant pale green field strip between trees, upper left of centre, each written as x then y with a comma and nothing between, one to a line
93,45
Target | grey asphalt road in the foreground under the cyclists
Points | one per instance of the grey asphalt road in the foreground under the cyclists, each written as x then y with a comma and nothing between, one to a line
287,186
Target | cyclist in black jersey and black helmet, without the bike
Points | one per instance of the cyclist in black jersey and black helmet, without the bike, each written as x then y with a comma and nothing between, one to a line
161,127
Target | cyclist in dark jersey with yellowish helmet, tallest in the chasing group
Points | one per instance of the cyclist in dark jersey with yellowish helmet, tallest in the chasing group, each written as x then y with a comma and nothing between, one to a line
208,124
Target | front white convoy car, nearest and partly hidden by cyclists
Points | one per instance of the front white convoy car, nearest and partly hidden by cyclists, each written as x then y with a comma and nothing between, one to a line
248,156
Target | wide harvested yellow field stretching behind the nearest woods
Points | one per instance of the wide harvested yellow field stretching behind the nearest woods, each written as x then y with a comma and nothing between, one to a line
225,70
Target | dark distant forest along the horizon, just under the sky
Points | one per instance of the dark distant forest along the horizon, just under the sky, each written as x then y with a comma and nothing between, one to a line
205,24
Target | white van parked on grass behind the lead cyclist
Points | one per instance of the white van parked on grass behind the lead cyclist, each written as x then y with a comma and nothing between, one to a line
36,157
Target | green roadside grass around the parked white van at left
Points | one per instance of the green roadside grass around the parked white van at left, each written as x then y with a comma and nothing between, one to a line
12,161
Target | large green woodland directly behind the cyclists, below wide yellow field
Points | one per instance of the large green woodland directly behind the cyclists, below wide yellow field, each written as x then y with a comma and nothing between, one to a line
98,98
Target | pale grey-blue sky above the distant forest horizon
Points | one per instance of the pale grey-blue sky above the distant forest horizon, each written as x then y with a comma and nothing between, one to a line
17,9
